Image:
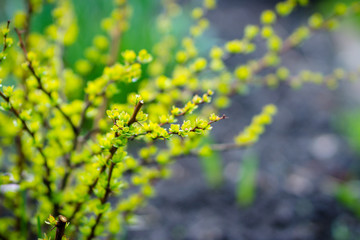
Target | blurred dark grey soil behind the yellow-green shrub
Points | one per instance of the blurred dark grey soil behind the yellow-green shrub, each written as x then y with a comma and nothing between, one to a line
301,155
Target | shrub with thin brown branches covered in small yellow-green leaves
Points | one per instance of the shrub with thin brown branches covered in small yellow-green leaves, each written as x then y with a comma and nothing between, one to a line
65,140
